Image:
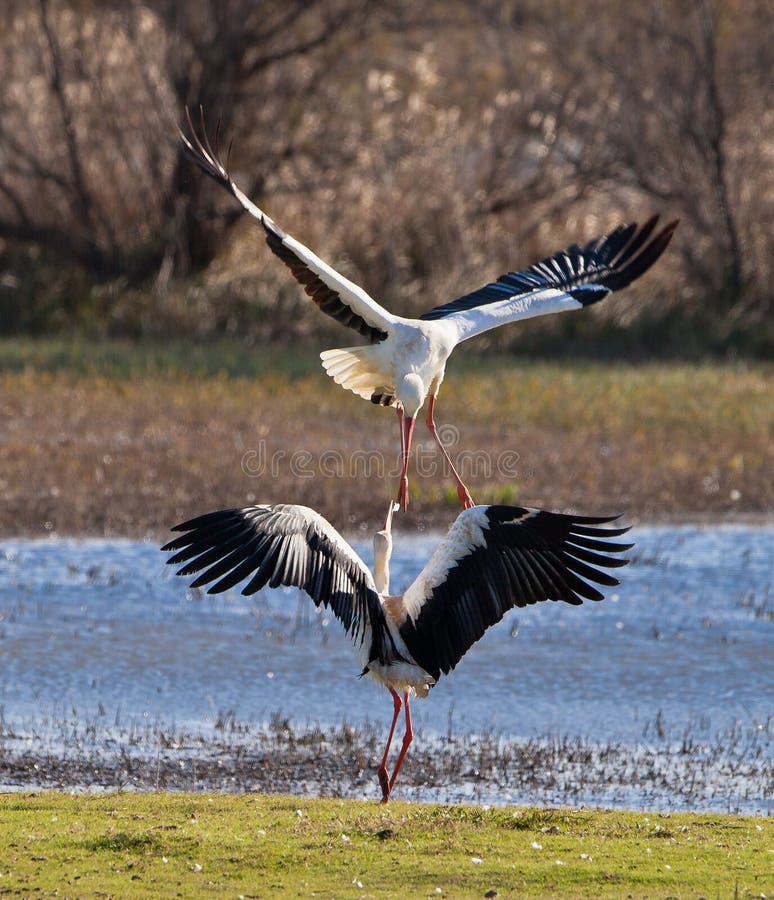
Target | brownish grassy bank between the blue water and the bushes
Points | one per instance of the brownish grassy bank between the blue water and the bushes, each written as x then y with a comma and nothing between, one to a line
123,439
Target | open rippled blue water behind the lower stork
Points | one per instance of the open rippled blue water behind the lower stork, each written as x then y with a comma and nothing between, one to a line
104,631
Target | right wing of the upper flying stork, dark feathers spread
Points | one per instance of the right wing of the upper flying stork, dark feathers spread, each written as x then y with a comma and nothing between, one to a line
570,279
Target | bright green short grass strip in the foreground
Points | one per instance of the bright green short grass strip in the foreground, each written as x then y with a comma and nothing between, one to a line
160,845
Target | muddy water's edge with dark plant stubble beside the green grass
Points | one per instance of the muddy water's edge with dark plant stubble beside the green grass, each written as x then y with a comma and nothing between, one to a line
732,774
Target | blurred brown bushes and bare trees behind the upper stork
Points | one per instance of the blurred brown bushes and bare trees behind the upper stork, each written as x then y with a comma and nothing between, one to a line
422,148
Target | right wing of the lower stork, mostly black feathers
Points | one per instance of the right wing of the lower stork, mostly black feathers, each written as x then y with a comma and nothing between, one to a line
495,558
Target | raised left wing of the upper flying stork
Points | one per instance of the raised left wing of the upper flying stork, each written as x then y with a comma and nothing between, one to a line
334,294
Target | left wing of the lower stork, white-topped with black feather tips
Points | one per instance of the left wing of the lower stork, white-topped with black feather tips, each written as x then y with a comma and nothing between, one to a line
282,544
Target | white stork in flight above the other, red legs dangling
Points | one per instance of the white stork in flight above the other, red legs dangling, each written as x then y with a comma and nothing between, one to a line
405,361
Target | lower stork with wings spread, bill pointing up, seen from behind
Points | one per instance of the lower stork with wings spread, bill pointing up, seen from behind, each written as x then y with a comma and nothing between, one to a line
492,559
